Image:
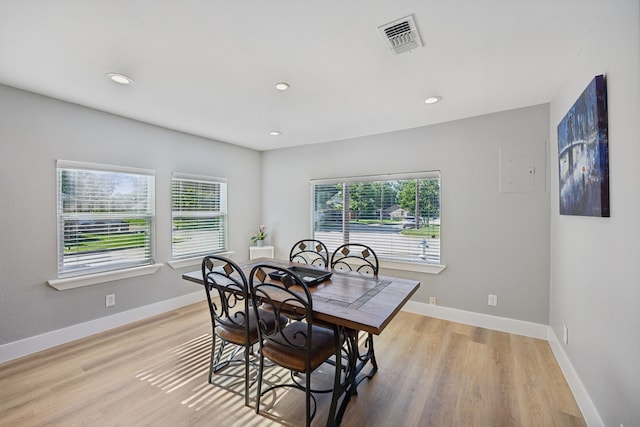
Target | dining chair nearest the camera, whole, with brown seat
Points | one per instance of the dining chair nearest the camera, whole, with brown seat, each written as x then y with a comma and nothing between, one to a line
301,346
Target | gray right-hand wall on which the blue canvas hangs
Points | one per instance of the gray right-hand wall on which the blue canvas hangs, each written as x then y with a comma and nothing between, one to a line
594,261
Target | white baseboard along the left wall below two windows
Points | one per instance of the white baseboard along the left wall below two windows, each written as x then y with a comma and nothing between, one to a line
20,348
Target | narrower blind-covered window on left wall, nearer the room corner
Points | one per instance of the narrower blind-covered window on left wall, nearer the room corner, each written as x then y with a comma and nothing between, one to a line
199,216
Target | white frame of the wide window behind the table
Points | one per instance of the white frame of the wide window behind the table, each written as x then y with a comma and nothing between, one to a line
387,259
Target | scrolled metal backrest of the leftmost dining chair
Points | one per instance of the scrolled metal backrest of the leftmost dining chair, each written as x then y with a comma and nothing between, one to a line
223,277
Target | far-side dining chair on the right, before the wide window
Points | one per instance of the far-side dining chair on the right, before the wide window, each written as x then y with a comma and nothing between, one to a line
362,259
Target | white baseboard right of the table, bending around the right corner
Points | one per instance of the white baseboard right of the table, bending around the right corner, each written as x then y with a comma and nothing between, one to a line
529,329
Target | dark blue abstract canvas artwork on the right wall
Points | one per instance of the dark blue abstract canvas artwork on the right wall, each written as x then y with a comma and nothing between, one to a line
583,154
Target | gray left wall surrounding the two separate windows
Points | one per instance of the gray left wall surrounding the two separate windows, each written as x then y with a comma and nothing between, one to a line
34,132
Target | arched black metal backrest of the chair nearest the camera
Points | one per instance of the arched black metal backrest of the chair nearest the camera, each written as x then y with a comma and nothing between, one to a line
288,296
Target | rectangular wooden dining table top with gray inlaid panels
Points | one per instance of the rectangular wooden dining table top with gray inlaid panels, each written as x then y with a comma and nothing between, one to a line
348,299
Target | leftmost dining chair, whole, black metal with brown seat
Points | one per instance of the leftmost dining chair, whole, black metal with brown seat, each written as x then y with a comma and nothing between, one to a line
232,321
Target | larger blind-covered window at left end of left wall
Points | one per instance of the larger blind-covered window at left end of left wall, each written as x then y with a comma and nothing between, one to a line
105,218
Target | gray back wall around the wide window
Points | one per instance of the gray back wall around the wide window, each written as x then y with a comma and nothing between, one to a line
492,242
